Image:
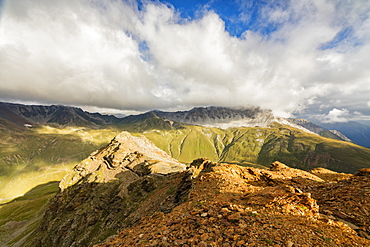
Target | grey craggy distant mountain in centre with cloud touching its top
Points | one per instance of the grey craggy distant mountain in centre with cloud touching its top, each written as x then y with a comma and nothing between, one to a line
222,117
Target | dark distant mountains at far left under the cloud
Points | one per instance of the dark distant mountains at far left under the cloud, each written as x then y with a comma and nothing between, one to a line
55,114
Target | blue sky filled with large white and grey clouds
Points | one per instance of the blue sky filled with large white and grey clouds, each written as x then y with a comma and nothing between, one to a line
306,58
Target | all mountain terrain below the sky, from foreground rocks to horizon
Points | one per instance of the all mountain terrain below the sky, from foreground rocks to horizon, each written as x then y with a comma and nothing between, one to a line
154,172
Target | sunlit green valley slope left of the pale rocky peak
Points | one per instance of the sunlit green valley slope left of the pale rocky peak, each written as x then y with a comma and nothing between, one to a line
40,155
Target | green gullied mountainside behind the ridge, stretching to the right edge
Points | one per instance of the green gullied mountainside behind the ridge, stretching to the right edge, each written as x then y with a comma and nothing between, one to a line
261,146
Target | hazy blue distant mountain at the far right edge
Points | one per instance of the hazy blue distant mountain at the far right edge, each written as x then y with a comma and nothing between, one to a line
357,132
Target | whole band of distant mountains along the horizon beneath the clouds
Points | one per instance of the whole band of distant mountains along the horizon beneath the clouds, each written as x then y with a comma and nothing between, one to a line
222,117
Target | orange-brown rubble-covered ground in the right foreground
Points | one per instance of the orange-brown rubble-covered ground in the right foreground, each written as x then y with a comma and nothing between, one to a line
230,205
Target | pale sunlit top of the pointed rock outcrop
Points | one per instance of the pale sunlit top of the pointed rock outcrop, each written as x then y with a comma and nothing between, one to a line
124,153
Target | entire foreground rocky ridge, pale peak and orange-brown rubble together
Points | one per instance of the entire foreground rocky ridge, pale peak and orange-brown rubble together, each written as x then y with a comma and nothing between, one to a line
135,194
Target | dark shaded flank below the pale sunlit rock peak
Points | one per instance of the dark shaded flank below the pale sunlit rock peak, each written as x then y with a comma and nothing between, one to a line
87,213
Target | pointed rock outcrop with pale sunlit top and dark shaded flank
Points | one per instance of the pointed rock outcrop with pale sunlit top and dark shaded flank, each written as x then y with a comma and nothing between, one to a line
111,189
